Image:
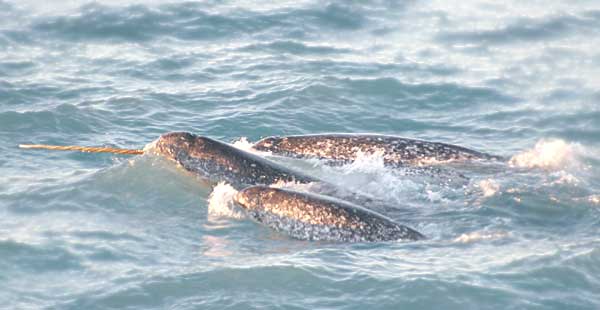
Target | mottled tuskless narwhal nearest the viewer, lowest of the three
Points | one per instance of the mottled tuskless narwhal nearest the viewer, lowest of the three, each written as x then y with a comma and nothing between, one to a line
314,217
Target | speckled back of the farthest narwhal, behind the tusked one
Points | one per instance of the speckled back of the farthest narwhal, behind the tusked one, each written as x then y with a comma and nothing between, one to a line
344,148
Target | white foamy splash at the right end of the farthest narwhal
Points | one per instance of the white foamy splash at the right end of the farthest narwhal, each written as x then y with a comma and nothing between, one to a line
547,154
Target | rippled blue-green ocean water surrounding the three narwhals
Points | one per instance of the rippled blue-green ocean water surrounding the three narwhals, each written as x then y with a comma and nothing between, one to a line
101,231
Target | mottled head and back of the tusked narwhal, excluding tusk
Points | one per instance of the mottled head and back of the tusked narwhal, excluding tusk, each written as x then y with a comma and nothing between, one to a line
215,161
